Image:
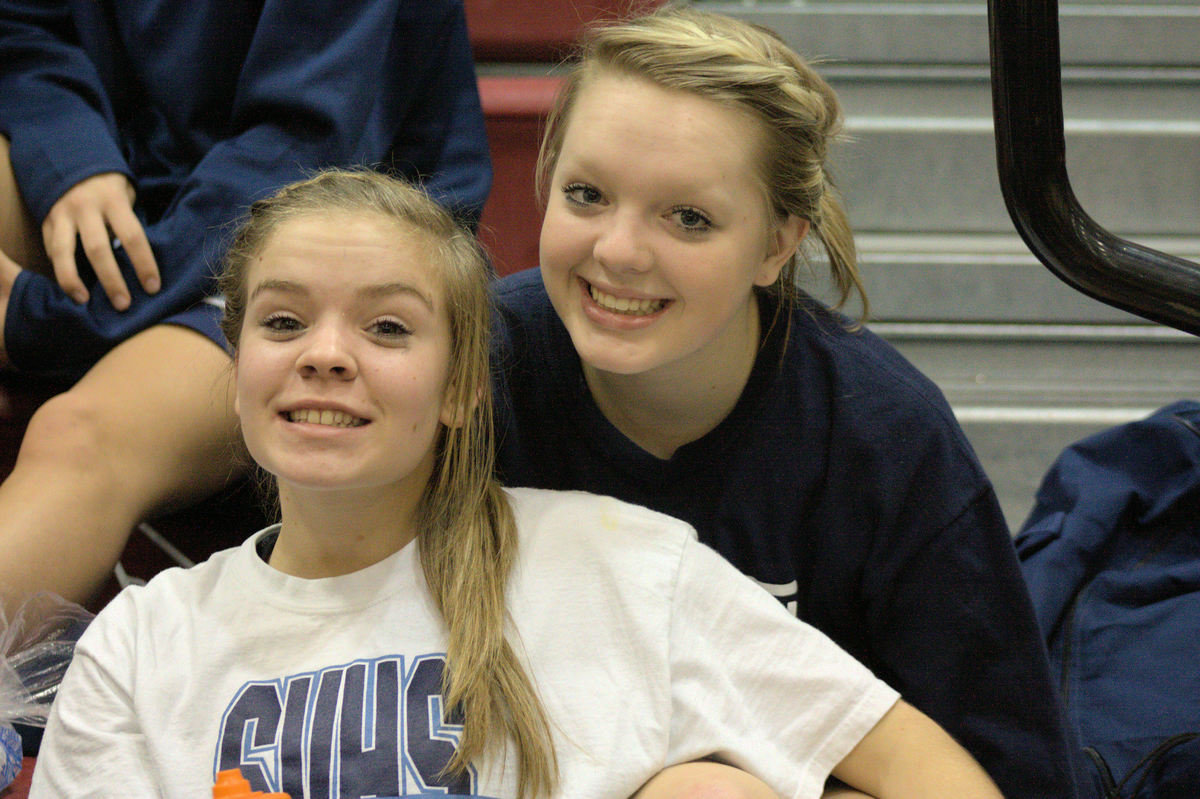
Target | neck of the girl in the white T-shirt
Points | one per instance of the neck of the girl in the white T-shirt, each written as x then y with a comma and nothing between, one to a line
333,533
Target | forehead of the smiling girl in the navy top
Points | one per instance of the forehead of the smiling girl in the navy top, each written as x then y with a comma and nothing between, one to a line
679,134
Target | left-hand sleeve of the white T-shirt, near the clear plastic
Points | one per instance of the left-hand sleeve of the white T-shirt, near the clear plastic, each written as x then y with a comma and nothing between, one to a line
94,744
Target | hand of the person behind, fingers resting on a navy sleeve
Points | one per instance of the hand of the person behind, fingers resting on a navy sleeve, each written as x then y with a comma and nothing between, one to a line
97,209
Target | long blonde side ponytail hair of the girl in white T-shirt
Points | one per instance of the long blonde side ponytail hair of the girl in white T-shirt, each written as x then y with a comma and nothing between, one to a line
467,534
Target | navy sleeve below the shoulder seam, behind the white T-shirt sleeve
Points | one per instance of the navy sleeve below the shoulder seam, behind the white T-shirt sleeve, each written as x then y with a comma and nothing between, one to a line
952,626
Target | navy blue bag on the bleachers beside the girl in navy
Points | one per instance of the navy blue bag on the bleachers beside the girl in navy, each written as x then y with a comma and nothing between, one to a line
1112,556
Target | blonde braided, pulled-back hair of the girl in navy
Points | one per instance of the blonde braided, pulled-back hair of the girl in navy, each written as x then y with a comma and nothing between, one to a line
743,67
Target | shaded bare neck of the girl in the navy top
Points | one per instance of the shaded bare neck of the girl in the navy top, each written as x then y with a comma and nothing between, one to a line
677,404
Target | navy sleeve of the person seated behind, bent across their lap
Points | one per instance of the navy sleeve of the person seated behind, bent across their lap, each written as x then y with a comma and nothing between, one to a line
388,83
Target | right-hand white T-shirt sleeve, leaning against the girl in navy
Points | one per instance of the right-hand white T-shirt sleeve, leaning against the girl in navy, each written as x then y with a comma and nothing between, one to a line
755,688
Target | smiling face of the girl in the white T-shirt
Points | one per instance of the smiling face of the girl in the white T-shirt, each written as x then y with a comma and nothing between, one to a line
344,355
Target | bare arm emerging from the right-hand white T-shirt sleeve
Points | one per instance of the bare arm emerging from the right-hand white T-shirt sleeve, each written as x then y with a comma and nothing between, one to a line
907,755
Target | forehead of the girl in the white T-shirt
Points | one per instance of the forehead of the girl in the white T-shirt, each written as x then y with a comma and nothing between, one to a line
346,249
